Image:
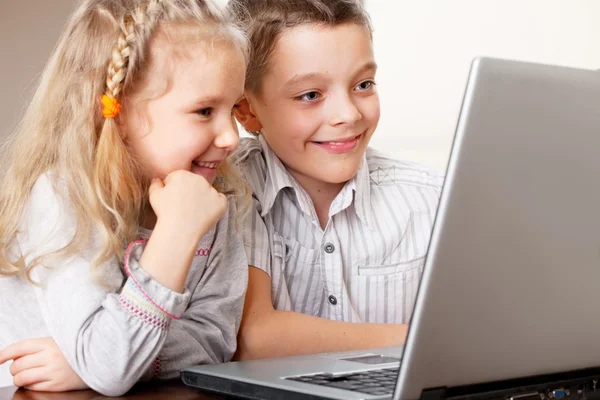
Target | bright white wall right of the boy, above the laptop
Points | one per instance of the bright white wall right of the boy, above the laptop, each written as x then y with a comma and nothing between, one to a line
424,49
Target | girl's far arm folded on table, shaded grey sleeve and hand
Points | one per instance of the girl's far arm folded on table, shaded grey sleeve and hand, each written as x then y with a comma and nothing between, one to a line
206,332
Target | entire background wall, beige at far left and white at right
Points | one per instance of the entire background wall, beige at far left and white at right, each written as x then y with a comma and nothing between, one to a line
423,48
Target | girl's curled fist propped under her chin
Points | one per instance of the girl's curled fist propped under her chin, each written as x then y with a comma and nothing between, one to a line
187,203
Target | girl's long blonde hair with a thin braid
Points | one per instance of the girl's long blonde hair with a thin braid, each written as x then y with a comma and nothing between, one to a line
104,50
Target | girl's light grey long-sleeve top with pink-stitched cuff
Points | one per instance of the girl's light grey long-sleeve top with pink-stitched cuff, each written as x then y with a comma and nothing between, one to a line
131,328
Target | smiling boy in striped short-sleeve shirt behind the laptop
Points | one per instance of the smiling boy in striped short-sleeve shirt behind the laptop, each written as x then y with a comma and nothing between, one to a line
339,234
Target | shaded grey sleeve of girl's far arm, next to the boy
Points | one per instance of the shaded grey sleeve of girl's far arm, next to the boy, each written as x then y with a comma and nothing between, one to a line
207,330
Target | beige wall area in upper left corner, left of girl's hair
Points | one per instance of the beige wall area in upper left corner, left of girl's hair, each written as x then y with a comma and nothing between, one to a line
29,29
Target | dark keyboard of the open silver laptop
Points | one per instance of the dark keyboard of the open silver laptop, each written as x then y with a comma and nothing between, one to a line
376,382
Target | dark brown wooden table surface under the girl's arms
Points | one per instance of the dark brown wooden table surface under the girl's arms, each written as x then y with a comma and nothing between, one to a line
157,390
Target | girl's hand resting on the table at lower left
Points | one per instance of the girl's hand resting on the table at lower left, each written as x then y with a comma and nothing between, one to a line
39,364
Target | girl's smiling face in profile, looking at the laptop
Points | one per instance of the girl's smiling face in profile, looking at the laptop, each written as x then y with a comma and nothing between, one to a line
190,127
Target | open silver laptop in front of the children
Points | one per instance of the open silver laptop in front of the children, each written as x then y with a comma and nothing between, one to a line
509,303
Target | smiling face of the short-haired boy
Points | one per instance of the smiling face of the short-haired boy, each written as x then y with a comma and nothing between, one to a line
318,105
